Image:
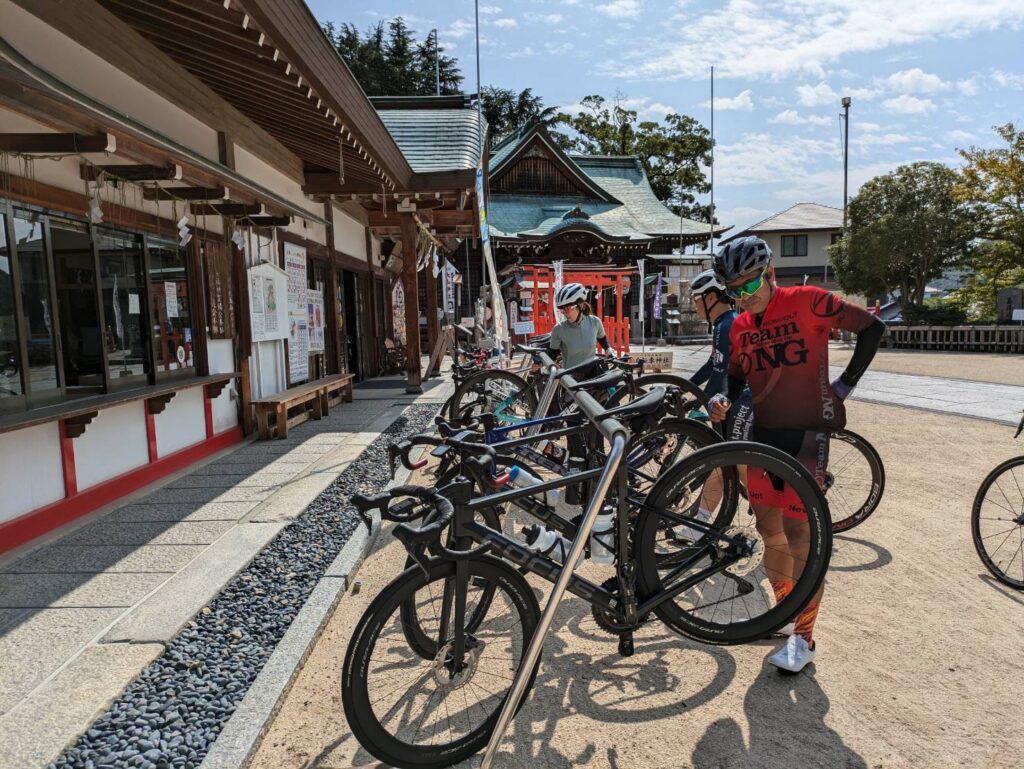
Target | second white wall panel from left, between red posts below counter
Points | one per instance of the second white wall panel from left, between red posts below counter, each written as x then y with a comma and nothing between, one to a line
113,444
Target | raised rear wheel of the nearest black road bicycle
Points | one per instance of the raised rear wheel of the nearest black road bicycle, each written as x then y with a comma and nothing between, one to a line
720,584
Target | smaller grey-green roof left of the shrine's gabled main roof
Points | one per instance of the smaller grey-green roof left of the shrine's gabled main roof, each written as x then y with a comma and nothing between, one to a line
436,140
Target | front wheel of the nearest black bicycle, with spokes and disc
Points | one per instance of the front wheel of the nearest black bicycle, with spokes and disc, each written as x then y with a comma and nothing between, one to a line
429,714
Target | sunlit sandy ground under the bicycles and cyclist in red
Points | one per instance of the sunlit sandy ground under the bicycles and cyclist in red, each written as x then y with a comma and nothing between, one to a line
921,654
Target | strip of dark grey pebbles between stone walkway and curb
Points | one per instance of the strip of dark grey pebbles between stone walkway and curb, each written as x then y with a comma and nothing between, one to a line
172,715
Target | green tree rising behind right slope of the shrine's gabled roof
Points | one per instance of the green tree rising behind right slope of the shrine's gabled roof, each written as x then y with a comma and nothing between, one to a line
674,152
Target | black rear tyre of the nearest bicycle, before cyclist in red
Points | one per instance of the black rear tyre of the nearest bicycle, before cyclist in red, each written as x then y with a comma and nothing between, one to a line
651,523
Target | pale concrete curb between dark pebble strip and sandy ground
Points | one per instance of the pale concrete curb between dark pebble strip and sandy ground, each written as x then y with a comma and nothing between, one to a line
245,731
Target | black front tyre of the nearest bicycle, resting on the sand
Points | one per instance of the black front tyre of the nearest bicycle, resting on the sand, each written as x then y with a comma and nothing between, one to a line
357,690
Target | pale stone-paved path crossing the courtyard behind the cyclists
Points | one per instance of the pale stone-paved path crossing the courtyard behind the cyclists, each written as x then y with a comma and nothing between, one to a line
997,403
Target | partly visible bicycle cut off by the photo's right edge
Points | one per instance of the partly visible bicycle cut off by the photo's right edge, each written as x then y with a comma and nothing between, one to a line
998,521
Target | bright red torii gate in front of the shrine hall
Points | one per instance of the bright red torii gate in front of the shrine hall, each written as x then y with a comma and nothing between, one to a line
541,280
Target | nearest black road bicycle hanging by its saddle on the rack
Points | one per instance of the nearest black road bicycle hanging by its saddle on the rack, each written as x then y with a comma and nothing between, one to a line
435,694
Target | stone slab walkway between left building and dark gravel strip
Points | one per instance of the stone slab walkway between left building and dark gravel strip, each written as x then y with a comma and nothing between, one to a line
84,613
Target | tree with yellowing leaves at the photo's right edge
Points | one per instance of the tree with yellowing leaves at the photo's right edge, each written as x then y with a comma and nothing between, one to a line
993,182
